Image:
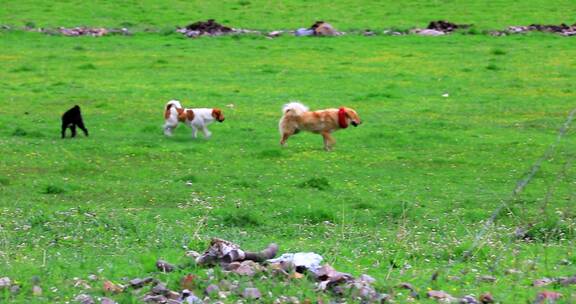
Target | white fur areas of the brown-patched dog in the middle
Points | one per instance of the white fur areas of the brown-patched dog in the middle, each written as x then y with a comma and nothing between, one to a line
202,118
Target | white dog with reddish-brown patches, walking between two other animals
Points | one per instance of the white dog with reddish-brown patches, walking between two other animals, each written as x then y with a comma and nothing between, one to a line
197,119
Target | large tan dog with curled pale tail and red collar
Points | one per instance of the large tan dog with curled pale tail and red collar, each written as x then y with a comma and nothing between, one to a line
296,117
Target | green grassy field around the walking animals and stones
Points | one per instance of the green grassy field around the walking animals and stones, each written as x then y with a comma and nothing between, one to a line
410,187
